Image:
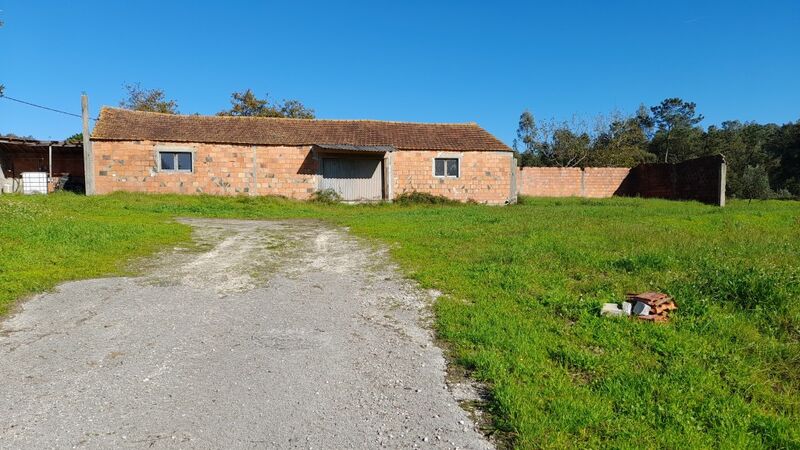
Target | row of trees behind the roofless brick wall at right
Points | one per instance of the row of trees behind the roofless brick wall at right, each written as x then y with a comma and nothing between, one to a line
763,159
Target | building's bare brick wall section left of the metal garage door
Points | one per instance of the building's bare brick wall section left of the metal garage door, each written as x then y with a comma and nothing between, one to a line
218,169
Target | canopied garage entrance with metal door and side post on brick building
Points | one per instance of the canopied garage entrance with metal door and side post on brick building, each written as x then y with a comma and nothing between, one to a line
358,173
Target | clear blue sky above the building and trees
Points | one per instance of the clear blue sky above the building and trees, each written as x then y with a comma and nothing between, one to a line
425,61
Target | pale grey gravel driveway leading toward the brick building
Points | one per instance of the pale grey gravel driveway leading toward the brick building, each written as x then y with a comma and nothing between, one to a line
271,334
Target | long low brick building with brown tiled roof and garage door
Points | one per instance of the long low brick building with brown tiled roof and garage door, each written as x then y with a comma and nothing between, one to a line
360,159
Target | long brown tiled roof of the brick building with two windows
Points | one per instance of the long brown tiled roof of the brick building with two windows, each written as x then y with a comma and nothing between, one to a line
121,124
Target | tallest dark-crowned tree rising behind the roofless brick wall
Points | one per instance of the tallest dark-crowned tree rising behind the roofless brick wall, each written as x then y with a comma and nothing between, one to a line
675,120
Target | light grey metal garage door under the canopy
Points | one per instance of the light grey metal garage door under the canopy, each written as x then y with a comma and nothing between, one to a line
353,179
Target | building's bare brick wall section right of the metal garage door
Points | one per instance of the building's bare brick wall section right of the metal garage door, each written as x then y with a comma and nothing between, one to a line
485,177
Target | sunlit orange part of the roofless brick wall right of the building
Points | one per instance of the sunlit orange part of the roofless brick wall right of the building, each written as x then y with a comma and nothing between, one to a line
594,182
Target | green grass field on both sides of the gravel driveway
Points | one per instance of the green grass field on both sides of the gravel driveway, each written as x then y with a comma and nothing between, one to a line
523,286
